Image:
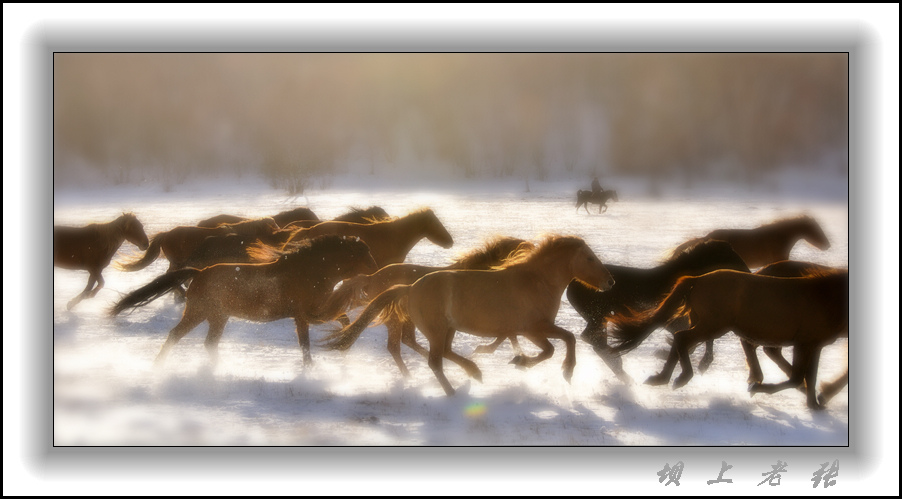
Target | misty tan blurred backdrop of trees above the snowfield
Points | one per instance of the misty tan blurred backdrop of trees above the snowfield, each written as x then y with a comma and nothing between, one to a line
127,118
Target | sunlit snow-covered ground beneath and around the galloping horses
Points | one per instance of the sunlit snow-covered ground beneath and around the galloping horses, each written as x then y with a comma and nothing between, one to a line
106,391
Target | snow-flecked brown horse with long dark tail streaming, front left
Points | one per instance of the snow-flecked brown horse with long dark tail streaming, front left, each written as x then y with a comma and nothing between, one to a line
294,284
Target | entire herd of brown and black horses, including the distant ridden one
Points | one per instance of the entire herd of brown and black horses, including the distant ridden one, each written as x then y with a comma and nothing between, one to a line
294,265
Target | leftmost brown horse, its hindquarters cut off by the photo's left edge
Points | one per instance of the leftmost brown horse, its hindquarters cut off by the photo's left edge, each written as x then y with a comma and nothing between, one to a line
92,247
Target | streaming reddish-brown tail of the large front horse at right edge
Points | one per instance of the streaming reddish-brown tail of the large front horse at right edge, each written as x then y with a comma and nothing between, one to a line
632,328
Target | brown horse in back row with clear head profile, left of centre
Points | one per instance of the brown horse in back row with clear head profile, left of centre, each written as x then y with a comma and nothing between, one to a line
389,240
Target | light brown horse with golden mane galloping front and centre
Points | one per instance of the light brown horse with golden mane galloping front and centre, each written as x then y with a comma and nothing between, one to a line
522,297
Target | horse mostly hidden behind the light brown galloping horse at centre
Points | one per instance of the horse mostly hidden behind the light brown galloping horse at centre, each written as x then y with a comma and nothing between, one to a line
356,291
